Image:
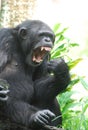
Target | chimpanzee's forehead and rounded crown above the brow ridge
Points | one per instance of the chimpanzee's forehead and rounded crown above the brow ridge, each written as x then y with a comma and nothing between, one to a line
35,27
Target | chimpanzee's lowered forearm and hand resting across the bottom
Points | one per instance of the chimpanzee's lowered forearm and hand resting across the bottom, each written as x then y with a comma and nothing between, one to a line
28,115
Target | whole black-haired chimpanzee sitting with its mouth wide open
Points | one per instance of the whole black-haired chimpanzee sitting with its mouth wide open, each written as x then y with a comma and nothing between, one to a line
34,80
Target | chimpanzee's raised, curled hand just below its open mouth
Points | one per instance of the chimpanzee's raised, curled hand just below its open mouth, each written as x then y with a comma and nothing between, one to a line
57,66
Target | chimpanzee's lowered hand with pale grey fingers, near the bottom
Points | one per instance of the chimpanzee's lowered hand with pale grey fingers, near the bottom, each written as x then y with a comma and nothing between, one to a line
42,117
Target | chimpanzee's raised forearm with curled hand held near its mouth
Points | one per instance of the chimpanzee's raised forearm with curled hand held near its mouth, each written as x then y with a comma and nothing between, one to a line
61,73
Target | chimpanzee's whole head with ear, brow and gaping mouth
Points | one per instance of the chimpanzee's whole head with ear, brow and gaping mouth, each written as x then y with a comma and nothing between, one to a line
38,40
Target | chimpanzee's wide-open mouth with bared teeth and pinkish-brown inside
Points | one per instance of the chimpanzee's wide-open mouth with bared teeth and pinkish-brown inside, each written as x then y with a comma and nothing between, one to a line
39,54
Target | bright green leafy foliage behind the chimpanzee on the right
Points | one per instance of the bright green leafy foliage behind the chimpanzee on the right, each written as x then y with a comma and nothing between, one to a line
73,110
